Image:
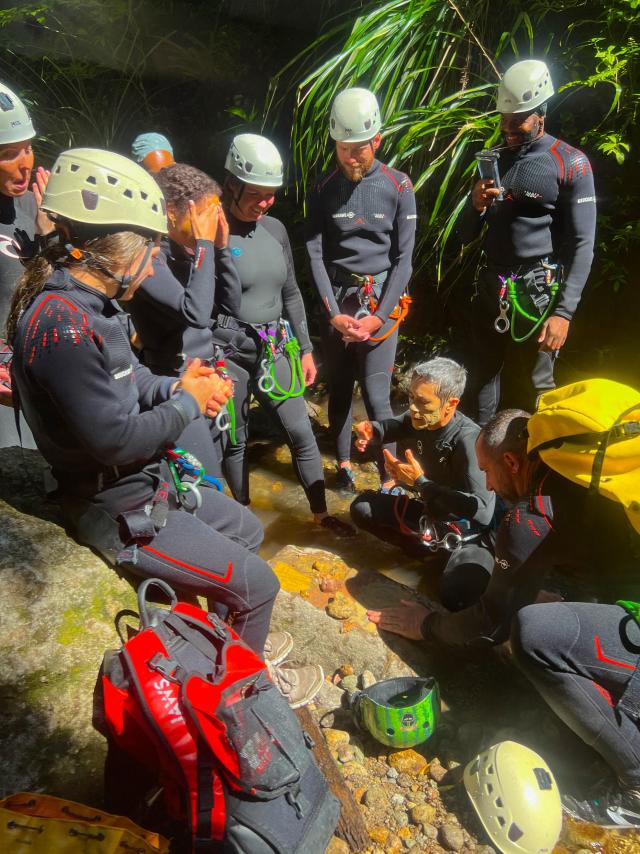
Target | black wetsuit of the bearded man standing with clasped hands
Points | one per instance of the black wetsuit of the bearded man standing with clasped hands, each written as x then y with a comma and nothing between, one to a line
366,228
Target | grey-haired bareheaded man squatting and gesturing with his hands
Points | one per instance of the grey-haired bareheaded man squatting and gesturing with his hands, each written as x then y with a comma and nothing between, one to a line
453,508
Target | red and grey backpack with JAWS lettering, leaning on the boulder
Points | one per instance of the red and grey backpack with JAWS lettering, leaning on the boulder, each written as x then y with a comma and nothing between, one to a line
189,701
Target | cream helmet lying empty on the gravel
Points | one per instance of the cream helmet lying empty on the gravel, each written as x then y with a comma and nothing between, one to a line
516,797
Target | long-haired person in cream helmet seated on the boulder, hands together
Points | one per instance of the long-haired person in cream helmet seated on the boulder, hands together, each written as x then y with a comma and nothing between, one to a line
104,422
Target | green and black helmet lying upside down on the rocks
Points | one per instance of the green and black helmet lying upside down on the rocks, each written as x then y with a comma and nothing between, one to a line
401,712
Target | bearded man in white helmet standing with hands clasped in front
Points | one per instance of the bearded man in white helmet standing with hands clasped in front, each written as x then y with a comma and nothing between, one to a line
360,233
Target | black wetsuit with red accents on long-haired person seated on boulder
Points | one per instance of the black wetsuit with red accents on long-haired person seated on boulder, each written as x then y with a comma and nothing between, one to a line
102,421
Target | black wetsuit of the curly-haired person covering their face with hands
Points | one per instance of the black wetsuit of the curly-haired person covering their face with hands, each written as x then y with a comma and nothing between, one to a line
173,313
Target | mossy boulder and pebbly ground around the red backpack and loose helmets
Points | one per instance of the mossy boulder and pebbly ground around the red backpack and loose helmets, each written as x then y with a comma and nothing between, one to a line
58,606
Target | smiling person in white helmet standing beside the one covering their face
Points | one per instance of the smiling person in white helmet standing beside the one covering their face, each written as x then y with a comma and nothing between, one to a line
259,337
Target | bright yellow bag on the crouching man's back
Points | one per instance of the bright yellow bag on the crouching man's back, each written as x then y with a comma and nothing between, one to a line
589,432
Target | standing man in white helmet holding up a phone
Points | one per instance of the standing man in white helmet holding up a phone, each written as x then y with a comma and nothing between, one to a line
538,246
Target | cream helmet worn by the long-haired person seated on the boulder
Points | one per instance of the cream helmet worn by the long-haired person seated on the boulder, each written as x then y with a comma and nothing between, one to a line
97,187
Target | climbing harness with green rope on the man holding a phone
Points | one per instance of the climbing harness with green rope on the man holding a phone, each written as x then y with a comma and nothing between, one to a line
511,297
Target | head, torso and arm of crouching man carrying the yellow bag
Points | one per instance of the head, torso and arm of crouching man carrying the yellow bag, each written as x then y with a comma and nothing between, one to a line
552,524
